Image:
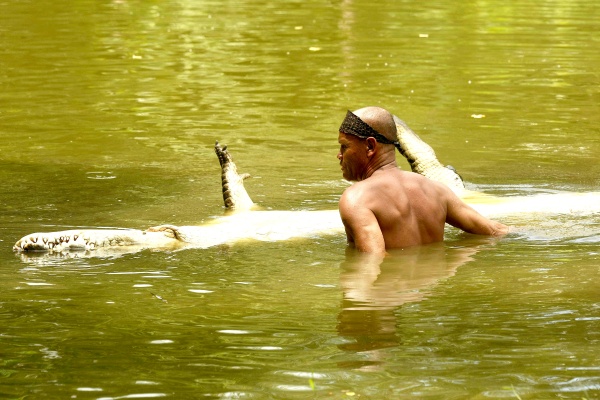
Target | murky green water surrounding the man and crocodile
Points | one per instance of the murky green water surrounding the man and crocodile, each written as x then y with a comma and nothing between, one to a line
108,114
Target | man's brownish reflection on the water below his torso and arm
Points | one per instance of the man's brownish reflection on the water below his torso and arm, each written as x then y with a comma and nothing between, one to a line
374,288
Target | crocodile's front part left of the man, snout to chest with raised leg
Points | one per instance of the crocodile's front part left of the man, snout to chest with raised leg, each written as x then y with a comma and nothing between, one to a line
242,221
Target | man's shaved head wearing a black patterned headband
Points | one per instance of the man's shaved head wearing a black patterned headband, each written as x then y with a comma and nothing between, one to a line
366,137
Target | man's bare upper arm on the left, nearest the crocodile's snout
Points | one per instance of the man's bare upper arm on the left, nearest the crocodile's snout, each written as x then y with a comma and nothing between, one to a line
362,227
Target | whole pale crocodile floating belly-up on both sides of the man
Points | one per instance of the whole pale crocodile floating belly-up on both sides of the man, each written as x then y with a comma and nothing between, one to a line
244,221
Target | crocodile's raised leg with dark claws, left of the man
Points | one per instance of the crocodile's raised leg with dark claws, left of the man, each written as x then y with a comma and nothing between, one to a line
234,193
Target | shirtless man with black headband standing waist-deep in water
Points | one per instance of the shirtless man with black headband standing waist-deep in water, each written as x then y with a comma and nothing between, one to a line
389,208
